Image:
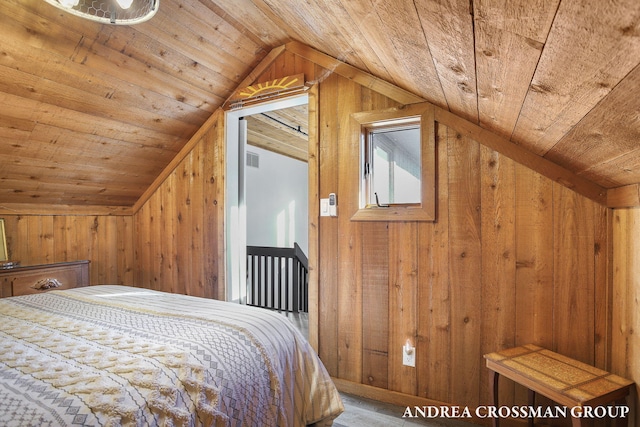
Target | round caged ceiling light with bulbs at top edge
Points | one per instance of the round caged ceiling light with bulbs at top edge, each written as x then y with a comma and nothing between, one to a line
117,12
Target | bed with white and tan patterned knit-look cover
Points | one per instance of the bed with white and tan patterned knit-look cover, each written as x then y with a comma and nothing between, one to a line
116,355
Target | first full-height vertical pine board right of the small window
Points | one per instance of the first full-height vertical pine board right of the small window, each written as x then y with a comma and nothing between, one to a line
465,253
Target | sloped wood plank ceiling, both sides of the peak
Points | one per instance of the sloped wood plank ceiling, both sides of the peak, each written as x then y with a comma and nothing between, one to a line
91,114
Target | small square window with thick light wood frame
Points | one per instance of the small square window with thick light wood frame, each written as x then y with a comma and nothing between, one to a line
397,164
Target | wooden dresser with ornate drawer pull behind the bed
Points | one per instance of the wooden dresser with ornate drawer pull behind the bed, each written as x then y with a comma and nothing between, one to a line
24,280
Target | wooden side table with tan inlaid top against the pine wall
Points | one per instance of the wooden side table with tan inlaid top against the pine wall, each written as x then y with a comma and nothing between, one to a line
560,378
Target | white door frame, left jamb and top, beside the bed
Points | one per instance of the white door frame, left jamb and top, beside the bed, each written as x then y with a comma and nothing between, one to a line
235,210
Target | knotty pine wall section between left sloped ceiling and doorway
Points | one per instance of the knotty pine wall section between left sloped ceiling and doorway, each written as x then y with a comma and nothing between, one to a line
178,230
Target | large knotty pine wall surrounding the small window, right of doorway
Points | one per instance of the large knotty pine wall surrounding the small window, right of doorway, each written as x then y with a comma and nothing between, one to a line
513,258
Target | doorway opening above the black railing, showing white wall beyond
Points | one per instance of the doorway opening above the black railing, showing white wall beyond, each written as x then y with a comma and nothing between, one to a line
276,177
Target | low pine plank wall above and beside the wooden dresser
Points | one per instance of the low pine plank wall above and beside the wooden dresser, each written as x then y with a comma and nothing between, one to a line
107,241
